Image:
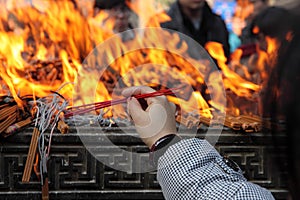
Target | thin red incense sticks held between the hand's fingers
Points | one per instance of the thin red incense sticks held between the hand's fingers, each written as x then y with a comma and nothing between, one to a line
78,110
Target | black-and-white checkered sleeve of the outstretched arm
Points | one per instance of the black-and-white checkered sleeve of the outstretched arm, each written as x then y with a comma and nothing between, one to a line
193,169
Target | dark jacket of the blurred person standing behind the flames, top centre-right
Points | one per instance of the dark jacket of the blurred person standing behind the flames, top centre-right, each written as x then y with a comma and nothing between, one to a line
212,27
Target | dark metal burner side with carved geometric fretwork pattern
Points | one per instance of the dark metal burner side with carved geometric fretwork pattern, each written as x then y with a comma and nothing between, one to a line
76,174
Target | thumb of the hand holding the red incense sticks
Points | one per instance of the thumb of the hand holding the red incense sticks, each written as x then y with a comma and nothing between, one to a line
135,110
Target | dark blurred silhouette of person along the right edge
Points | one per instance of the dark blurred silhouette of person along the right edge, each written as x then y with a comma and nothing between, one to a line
283,90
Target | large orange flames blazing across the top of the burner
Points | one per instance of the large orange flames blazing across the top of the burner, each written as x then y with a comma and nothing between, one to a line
47,44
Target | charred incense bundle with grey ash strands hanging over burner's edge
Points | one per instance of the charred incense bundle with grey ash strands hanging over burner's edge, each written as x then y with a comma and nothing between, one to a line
47,111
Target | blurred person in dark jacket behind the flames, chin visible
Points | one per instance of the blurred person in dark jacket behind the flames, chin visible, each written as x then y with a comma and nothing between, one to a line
196,19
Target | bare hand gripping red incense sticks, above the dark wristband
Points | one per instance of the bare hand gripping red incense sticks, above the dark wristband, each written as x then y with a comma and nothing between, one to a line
156,121
